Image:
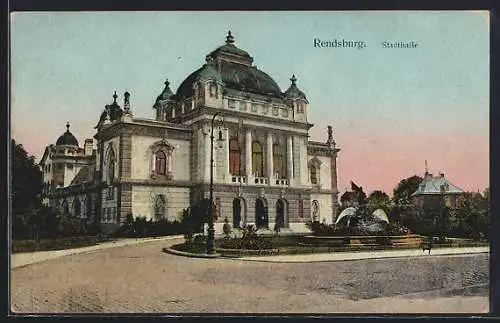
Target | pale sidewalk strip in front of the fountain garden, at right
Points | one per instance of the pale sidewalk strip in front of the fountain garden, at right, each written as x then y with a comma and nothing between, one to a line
345,256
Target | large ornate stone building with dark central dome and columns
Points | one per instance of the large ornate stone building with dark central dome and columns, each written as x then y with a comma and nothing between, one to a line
266,171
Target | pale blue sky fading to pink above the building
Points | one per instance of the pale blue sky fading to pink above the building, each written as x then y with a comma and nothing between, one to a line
390,109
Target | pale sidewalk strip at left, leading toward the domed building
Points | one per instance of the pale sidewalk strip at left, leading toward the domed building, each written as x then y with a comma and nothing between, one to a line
27,258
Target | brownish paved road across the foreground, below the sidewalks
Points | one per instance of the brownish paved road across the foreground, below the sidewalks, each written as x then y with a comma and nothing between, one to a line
140,278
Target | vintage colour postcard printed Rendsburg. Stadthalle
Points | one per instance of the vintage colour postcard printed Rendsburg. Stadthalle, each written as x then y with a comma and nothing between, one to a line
315,162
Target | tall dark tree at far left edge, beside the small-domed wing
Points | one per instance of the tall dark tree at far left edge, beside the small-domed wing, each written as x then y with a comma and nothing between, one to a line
26,188
